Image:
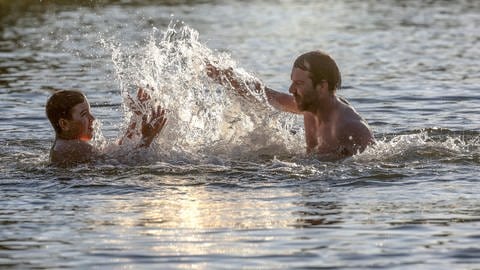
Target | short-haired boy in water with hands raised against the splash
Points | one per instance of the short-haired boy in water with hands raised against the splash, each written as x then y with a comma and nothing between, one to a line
69,113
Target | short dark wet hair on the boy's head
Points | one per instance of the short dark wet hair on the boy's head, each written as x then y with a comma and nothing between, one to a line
60,105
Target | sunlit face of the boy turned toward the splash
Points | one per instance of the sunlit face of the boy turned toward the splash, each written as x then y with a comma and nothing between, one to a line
80,126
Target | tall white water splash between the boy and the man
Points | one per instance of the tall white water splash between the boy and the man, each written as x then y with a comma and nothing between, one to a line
204,118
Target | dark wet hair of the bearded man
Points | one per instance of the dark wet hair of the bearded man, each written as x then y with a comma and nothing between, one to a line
321,67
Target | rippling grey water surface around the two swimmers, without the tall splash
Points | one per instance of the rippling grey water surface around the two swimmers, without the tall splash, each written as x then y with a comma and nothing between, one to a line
412,202
